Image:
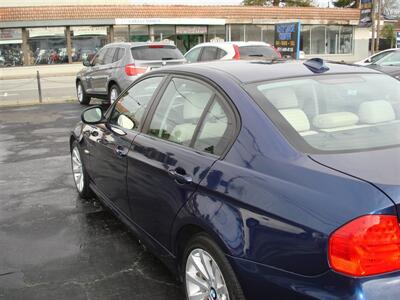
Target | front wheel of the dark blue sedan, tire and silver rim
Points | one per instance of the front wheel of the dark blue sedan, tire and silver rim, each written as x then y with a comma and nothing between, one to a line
79,173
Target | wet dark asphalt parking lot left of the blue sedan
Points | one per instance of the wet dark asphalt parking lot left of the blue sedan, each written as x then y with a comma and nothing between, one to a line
54,245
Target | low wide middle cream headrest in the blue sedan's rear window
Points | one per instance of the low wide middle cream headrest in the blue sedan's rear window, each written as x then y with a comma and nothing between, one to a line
334,120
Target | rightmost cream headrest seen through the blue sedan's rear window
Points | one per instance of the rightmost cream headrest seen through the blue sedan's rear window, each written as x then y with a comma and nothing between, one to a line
378,111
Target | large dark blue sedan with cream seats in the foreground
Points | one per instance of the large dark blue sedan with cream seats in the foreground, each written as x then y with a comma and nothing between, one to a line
255,180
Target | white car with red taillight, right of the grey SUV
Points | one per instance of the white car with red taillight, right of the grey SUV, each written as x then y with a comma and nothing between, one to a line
232,50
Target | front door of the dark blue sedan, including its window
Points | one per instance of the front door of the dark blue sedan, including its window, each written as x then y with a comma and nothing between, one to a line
110,142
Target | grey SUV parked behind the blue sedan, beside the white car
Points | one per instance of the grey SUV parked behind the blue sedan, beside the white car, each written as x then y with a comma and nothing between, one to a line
117,65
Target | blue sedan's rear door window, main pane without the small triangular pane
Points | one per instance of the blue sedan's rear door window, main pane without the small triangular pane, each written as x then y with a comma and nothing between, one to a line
180,110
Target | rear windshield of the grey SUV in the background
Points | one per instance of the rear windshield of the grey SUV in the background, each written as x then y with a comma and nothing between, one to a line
156,52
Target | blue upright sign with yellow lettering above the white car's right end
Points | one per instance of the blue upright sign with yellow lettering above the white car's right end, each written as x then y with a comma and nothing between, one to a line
287,39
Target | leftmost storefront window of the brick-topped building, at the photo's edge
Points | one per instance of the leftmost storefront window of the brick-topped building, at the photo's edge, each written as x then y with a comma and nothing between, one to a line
10,47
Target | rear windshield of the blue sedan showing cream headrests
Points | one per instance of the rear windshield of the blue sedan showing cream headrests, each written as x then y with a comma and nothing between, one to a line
350,112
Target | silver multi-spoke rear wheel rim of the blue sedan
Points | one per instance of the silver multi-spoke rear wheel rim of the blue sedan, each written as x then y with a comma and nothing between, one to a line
204,279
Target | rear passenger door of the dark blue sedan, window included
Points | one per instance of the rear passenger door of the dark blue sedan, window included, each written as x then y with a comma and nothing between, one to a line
186,132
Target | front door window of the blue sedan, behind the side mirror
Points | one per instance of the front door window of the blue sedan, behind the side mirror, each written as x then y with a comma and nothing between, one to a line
129,110
